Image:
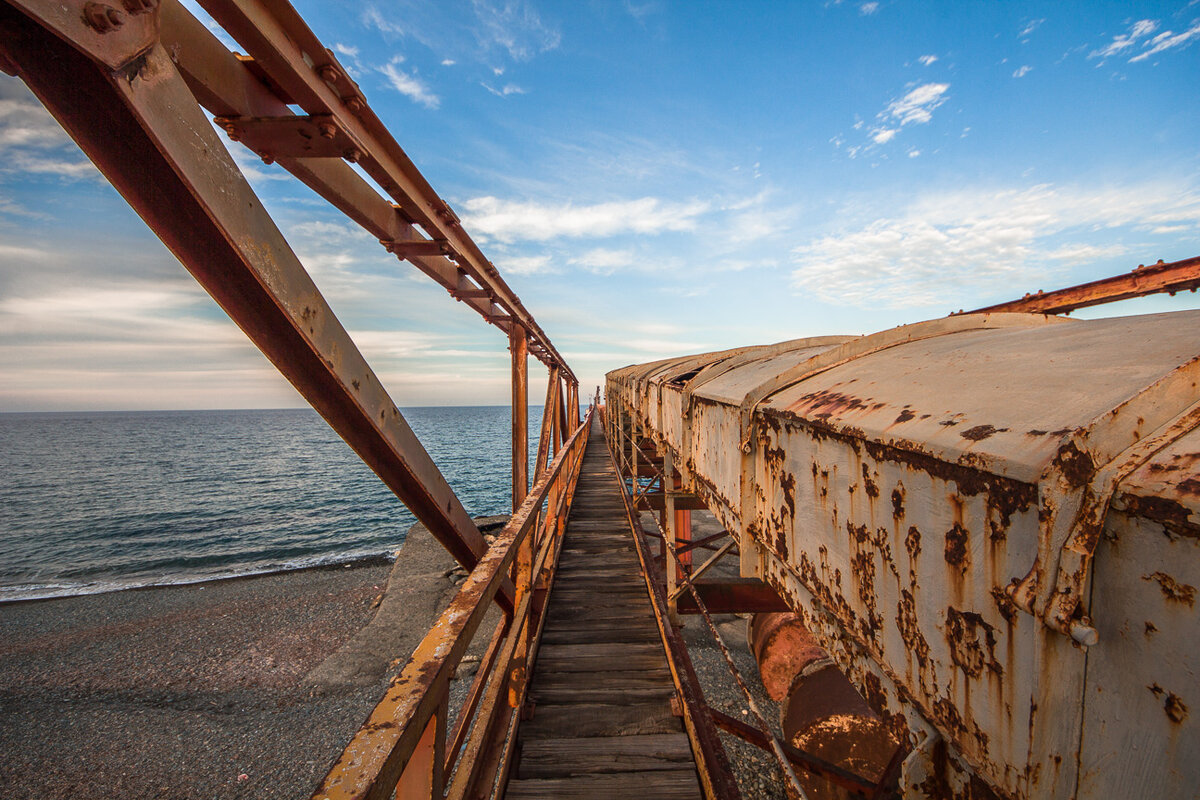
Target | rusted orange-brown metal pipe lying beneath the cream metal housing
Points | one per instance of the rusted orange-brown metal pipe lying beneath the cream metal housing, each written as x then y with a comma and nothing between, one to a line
823,713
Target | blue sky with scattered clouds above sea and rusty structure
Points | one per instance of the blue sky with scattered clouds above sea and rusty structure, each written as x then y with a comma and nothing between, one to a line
653,179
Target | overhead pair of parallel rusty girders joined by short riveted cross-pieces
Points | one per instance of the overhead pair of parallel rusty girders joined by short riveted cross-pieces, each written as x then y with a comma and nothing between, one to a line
304,73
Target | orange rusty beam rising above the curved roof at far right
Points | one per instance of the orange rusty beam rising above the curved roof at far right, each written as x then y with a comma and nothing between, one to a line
1156,279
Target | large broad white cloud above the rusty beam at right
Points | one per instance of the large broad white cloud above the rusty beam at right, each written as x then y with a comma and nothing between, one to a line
947,244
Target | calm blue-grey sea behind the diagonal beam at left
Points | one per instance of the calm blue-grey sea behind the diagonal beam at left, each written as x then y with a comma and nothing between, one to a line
95,502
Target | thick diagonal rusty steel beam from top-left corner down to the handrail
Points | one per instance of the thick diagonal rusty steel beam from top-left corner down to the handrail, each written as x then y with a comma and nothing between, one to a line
142,128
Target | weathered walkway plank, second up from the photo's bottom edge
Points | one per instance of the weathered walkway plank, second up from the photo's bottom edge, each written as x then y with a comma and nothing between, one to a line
599,755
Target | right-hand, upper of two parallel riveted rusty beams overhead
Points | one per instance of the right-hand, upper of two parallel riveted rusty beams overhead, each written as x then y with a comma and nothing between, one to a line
286,50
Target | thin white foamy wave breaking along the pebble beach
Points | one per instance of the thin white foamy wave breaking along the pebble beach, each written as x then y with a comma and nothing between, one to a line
82,588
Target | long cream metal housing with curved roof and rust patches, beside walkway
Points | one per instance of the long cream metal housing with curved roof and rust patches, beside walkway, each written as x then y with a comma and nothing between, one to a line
931,501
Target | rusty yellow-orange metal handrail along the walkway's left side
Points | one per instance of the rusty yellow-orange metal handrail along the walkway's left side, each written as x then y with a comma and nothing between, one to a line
410,721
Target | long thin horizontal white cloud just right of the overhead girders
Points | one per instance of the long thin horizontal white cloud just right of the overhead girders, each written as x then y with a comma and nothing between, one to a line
517,220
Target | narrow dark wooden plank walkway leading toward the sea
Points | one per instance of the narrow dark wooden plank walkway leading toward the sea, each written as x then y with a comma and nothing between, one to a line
602,724
